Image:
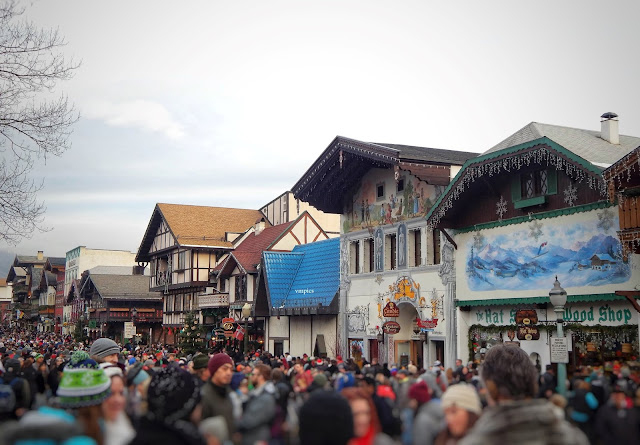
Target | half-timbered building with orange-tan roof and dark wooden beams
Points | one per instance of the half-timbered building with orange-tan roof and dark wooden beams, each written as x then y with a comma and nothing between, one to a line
183,244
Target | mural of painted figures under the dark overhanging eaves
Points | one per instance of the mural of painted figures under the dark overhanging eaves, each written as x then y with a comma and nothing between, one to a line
399,200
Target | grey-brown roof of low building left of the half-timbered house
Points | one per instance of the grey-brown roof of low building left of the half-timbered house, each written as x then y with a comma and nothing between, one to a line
123,287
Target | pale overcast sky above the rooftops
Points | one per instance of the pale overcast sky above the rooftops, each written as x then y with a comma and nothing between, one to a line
227,103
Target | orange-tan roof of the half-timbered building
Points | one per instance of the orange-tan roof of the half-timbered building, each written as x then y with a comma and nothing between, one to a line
198,226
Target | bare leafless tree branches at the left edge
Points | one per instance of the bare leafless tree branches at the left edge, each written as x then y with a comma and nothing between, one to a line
33,124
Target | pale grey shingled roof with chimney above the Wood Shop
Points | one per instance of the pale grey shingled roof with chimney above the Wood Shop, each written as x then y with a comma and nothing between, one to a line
585,143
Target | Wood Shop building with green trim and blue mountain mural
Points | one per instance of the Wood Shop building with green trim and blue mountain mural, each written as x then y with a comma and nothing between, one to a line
531,210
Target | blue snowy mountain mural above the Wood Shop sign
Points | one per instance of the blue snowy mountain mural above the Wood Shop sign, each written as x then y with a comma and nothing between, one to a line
587,253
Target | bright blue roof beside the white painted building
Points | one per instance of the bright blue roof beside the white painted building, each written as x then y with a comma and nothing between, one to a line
308,276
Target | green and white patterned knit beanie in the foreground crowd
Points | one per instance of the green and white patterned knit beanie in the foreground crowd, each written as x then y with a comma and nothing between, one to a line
83,382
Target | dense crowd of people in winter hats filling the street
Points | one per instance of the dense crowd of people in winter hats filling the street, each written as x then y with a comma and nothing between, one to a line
56,391
